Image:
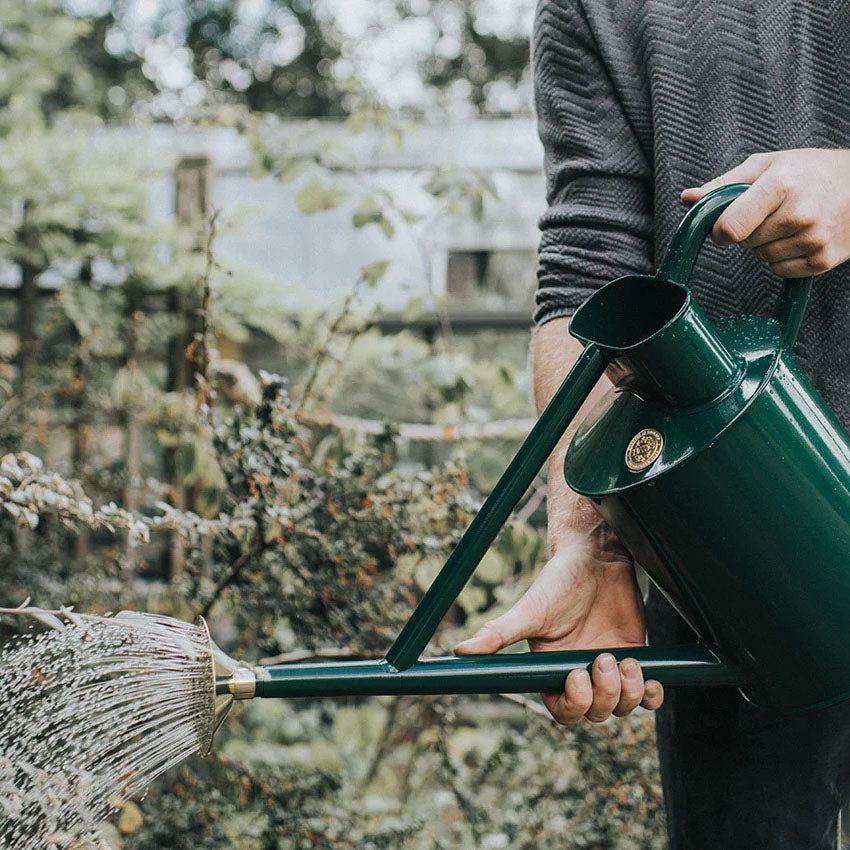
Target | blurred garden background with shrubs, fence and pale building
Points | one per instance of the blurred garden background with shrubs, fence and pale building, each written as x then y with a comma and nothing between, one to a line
266,277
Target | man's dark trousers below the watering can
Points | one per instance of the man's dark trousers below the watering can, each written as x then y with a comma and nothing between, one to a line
737,777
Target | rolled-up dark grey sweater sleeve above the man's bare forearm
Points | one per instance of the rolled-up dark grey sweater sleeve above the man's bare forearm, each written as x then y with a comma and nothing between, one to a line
598,224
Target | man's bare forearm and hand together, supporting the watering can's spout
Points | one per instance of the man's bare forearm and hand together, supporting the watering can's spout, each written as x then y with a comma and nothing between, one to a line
586,596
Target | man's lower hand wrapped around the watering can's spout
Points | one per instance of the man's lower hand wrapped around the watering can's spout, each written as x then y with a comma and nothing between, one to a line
585,597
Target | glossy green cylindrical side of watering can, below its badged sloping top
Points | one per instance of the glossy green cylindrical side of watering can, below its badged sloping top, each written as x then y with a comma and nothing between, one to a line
751,542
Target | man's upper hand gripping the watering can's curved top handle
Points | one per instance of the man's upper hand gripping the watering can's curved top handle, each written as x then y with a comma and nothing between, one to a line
796,215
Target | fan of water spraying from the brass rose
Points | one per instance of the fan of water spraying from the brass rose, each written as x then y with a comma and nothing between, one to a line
90,714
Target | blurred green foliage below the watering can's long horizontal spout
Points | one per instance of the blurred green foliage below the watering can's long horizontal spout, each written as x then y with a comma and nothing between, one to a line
471,772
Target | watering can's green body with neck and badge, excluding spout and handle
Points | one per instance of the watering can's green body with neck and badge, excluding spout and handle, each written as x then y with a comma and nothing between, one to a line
730,485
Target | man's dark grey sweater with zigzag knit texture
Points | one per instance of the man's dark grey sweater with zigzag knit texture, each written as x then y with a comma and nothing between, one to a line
638,99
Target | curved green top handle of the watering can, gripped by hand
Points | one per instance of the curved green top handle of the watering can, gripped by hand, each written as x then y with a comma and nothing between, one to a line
685,245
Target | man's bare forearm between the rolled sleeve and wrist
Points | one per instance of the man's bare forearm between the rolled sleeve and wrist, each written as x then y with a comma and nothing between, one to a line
555,353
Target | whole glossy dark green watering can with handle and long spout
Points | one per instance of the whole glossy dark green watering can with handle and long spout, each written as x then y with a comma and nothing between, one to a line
720,469
